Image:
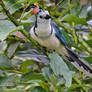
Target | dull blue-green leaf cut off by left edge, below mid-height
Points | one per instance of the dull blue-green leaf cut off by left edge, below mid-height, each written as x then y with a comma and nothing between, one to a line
4,62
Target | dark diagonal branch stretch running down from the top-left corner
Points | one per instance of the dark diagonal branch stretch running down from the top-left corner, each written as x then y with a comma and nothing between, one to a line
8,14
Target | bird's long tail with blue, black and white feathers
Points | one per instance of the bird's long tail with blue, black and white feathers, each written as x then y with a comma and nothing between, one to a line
79,62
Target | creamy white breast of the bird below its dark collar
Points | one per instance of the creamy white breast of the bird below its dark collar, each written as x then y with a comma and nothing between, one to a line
51,42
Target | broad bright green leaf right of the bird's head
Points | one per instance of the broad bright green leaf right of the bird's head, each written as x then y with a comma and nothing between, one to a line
74,19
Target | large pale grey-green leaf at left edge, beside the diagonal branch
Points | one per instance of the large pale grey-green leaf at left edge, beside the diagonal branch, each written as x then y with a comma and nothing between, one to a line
5,28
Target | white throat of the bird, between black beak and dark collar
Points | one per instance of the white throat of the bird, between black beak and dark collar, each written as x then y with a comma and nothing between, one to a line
43,28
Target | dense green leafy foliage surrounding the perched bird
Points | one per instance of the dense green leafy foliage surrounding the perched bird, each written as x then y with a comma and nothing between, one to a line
27,67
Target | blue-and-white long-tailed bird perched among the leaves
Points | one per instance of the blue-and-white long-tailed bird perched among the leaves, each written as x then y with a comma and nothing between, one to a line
47,33
